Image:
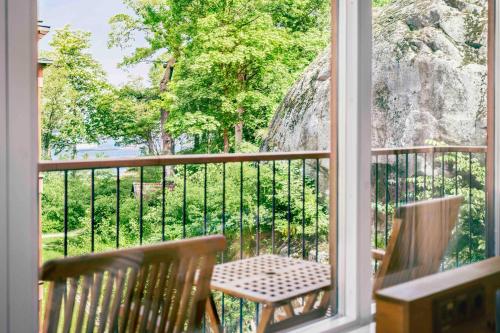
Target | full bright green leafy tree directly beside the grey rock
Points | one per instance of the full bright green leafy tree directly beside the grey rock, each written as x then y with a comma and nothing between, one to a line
239,64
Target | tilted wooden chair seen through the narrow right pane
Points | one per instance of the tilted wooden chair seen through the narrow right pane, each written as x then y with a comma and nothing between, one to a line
420,235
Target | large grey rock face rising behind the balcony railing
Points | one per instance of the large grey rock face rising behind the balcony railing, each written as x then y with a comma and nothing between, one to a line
429,81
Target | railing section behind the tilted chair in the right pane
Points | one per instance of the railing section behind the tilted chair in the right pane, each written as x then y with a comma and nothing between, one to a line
403,175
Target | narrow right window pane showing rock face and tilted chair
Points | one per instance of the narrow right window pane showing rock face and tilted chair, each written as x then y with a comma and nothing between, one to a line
429,125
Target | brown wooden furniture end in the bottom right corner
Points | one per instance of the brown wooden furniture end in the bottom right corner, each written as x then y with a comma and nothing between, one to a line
456,301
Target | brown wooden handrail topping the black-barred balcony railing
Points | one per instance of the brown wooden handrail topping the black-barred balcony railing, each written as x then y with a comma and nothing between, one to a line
108,163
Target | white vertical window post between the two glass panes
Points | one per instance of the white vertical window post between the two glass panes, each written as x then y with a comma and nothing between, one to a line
352,71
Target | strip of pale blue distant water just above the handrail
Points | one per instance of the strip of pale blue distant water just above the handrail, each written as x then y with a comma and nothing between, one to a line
106,149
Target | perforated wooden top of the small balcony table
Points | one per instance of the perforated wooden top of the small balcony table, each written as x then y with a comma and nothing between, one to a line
270,279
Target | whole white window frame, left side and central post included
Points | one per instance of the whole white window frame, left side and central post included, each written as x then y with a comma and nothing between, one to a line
19,156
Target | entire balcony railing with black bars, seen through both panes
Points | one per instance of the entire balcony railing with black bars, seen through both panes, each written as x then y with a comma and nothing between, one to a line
263,203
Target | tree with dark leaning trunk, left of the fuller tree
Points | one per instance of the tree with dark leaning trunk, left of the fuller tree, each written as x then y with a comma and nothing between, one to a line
166,26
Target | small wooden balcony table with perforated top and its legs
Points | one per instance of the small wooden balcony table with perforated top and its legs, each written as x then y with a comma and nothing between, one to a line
291,291
